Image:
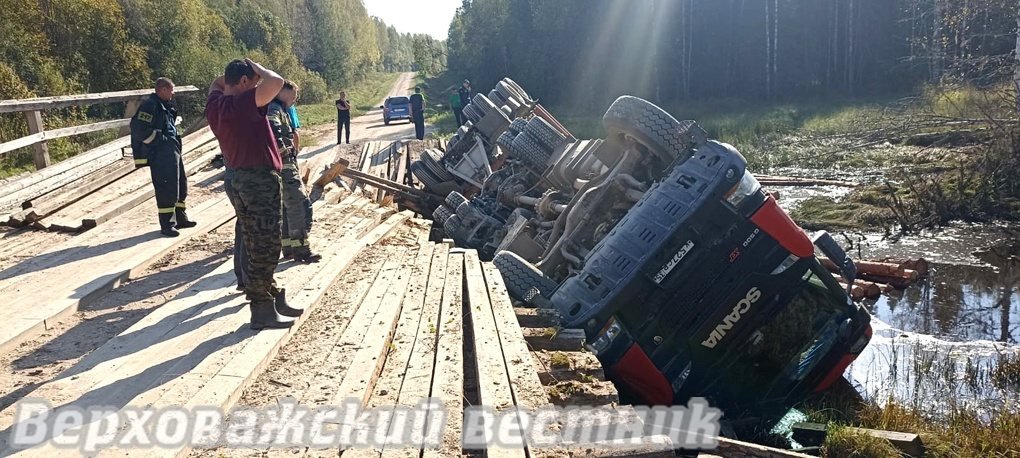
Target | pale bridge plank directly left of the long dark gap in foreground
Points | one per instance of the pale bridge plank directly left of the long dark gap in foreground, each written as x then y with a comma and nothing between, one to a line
448,380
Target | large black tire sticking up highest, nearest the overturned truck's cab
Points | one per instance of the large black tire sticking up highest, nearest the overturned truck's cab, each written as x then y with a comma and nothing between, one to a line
652,127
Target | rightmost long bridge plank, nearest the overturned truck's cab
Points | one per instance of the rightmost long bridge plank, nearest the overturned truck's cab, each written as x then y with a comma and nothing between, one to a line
528,390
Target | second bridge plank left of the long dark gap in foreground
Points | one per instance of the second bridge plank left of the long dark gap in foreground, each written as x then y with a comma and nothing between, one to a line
418,380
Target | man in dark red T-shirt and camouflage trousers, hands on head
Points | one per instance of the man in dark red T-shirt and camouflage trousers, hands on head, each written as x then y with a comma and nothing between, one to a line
236,110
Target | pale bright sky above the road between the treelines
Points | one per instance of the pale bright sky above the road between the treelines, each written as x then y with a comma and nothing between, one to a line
416,17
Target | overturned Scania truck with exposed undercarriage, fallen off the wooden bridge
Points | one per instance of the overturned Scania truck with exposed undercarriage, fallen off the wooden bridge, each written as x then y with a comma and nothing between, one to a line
688,279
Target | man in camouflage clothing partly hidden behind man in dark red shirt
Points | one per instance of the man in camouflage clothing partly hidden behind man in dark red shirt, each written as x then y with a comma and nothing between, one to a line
295,240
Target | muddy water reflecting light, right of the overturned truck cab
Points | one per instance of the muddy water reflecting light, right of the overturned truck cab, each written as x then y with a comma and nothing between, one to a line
937,345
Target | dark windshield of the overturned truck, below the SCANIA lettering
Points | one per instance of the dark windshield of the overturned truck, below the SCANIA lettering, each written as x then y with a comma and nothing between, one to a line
786,349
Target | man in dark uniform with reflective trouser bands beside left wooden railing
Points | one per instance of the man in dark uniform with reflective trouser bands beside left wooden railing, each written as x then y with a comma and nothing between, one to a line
156,143
